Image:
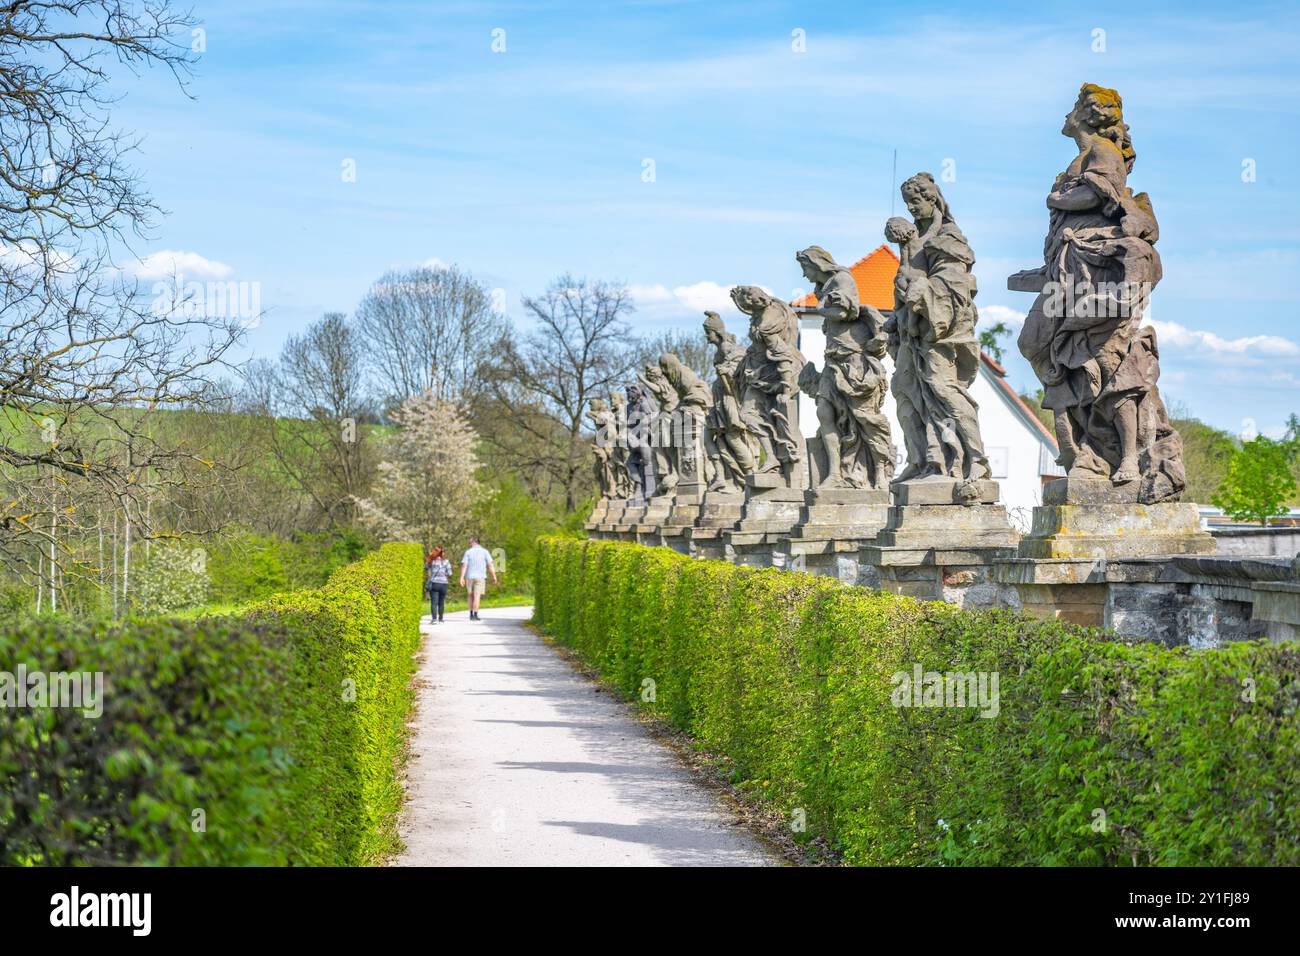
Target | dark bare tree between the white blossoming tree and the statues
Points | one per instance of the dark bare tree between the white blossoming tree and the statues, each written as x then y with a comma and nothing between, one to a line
540,383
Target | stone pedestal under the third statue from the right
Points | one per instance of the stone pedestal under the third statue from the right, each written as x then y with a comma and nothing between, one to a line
834,526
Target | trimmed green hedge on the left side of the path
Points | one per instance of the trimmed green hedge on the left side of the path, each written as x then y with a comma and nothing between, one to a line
266,738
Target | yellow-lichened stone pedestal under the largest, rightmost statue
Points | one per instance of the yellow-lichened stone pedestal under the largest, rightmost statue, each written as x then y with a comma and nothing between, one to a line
1093,518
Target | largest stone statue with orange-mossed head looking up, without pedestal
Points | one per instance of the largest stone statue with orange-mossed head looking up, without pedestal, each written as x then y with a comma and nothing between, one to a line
1085,336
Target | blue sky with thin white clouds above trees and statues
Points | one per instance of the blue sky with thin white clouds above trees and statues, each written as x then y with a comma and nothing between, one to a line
523,165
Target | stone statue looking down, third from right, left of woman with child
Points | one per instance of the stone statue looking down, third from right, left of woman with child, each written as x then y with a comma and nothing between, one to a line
851,388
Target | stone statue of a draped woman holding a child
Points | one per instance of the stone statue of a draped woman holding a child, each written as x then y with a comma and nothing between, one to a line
933,340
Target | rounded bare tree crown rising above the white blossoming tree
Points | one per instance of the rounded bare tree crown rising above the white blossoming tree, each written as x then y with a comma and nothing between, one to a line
428,330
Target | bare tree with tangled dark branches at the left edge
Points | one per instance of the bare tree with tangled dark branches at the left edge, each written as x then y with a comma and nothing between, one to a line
86,361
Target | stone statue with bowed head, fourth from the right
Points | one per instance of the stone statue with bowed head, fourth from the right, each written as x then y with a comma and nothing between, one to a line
770,377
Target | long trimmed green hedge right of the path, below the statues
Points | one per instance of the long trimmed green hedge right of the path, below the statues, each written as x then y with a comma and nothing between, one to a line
1102,752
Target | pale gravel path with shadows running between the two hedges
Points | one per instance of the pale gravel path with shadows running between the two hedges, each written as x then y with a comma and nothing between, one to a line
519,762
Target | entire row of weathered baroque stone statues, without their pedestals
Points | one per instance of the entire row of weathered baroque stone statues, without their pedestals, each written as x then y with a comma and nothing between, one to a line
1084,338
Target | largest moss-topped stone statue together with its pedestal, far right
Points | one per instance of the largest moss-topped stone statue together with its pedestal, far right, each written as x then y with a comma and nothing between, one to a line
1099,367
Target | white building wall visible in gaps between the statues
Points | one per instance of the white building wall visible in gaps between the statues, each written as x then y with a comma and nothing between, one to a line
1015,451
